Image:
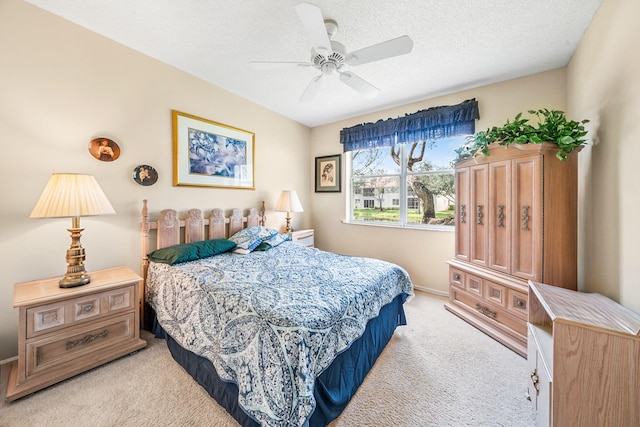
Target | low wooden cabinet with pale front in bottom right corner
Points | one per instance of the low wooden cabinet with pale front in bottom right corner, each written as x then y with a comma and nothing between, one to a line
583,359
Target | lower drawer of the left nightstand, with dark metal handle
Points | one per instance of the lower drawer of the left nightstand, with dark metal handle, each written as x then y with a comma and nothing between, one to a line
79,345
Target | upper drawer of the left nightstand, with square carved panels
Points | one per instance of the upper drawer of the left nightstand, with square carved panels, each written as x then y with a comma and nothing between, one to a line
47,318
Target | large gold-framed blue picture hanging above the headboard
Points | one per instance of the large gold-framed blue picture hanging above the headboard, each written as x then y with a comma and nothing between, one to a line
211,154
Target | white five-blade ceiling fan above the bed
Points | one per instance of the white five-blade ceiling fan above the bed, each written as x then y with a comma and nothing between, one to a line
330,56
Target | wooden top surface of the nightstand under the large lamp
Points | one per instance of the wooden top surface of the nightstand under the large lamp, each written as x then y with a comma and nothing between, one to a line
48,290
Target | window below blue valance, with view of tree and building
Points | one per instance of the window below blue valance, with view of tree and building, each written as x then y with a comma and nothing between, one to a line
404,185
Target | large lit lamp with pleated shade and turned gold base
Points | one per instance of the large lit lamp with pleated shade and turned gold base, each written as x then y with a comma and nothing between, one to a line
72,196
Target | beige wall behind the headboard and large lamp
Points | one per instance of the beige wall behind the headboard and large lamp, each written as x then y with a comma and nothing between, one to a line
61,86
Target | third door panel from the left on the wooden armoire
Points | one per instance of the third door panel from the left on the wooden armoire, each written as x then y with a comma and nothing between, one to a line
499,219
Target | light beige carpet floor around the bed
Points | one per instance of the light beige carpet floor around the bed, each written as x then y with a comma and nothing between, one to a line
436,371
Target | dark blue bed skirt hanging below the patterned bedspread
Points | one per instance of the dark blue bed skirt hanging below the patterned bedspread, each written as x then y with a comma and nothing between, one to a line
334,387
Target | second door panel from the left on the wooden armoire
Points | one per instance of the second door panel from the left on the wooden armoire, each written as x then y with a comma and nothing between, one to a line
479,199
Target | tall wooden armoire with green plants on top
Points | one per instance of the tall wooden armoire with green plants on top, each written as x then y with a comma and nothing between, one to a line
516,220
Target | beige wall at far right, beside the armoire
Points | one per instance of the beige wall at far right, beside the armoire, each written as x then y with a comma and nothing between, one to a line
604,86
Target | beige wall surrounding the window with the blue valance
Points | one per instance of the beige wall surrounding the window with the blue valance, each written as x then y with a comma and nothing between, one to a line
423,253
